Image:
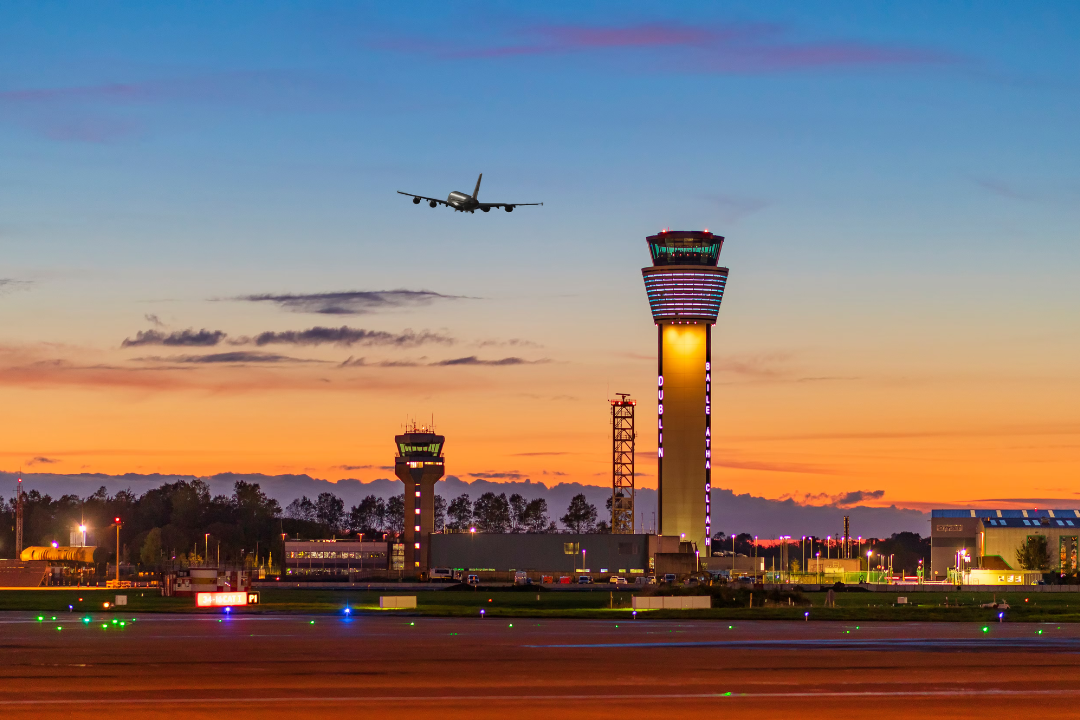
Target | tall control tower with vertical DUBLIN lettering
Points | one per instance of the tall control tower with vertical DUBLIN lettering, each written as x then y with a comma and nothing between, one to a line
685,290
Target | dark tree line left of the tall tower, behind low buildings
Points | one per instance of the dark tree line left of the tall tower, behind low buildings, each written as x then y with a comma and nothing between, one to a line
182,523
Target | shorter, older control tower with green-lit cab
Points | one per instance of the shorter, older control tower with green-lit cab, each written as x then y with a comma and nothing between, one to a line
420,466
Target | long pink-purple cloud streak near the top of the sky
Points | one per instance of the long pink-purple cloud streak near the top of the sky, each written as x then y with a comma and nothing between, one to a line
723,50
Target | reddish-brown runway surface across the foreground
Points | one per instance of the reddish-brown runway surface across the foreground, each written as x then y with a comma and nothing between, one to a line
278,667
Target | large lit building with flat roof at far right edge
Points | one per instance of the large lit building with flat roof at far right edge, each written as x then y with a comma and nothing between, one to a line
985,542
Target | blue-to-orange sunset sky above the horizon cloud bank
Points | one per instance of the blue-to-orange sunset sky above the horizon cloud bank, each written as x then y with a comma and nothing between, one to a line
195,200
